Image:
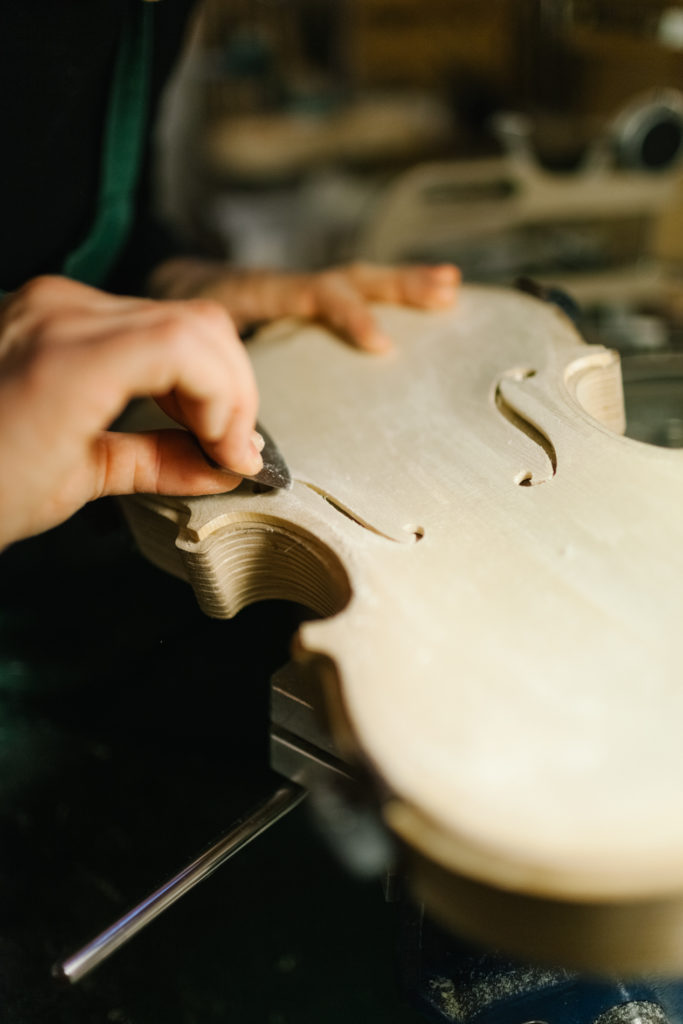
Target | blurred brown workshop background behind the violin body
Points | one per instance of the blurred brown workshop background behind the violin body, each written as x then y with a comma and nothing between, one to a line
537,139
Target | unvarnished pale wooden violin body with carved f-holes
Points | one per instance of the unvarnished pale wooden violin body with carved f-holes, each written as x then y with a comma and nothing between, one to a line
501,576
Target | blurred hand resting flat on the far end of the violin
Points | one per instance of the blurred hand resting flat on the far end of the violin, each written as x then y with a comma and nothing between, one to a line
339,297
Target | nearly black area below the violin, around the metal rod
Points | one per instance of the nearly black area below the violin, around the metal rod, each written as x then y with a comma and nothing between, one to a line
134,731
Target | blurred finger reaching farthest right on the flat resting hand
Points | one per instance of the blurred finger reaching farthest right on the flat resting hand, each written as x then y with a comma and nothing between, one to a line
425,287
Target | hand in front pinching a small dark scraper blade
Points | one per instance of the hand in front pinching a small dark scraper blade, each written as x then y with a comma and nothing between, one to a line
71,359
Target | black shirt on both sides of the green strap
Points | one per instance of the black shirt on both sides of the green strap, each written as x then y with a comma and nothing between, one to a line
57,60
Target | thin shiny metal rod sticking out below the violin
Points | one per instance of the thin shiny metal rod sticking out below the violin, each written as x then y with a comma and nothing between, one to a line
272,810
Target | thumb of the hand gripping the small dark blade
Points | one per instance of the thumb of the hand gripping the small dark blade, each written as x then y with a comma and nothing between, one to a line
161,462
